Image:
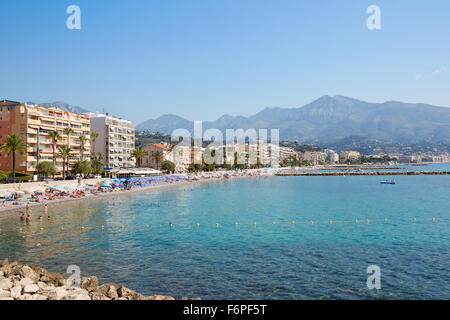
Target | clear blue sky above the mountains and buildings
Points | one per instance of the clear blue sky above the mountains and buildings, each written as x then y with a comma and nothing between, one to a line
200,59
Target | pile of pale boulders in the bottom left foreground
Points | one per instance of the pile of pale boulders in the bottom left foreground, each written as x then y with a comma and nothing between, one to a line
23,282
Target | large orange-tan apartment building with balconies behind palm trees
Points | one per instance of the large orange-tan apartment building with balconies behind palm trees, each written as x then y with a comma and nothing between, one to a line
33,123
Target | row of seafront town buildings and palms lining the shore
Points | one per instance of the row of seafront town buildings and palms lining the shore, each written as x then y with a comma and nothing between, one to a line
46,141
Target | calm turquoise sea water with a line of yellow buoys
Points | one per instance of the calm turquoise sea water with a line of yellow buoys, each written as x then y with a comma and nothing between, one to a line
284,260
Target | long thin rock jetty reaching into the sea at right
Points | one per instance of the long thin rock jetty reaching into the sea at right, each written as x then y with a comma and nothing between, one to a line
363,173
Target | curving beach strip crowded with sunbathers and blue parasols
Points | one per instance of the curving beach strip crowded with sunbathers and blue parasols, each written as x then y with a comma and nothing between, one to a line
22,196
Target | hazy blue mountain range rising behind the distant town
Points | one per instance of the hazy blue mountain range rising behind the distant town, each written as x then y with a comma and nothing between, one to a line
329,119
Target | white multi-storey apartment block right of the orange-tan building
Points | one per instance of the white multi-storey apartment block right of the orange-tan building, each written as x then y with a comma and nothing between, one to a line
116,140
